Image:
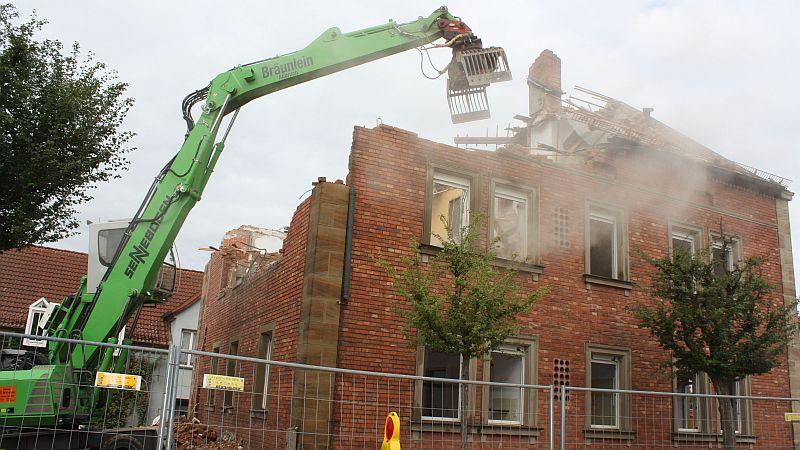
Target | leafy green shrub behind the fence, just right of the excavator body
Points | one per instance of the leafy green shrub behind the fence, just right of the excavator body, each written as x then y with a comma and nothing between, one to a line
117,406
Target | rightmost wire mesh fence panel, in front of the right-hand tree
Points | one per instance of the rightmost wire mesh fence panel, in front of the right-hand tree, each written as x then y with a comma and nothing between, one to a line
607,418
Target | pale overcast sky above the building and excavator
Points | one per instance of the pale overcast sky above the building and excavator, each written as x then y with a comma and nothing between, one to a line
724,73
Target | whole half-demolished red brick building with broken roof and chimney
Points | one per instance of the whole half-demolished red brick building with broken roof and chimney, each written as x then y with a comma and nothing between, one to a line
580,193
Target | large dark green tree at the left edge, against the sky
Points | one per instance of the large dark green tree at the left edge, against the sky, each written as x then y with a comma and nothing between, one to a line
60,119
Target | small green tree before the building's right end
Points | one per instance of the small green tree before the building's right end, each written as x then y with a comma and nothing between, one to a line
717,320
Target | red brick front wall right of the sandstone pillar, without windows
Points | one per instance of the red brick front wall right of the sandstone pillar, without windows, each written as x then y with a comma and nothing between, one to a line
388,170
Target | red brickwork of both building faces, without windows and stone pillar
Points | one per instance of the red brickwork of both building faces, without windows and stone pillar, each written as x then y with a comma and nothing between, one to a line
388,169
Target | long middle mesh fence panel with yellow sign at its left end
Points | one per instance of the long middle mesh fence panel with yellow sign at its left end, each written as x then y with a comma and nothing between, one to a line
280,405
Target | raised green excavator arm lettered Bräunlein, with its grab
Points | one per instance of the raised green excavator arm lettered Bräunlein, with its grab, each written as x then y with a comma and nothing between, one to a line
129,282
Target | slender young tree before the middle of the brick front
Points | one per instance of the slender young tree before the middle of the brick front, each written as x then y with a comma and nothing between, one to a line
458,302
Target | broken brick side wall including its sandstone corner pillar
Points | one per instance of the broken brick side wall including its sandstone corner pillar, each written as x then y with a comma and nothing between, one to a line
297,299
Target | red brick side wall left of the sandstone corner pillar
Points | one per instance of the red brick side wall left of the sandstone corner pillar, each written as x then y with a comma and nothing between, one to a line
272,296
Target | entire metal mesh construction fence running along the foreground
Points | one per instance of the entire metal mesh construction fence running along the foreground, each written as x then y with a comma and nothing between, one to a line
191,399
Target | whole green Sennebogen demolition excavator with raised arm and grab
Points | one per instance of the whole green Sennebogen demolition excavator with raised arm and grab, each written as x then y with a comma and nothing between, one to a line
55,388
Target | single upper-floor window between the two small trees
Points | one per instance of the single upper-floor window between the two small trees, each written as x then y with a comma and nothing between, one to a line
605,246
